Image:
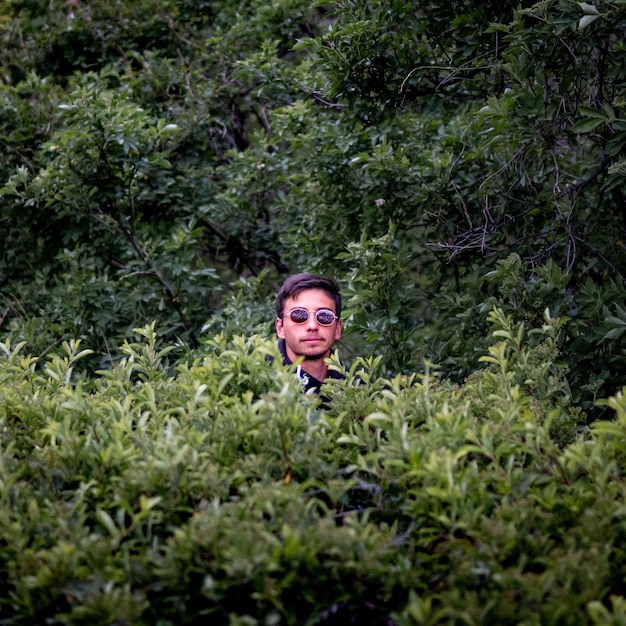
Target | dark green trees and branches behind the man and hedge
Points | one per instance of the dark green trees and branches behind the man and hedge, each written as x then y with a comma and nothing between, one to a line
174,160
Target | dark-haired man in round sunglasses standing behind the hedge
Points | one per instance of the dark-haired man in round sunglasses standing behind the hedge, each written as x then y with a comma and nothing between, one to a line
308,311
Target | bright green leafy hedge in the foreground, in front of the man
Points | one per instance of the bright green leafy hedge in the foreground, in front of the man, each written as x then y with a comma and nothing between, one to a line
219,491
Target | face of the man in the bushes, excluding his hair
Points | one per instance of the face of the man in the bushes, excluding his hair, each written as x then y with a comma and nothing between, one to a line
310,339
